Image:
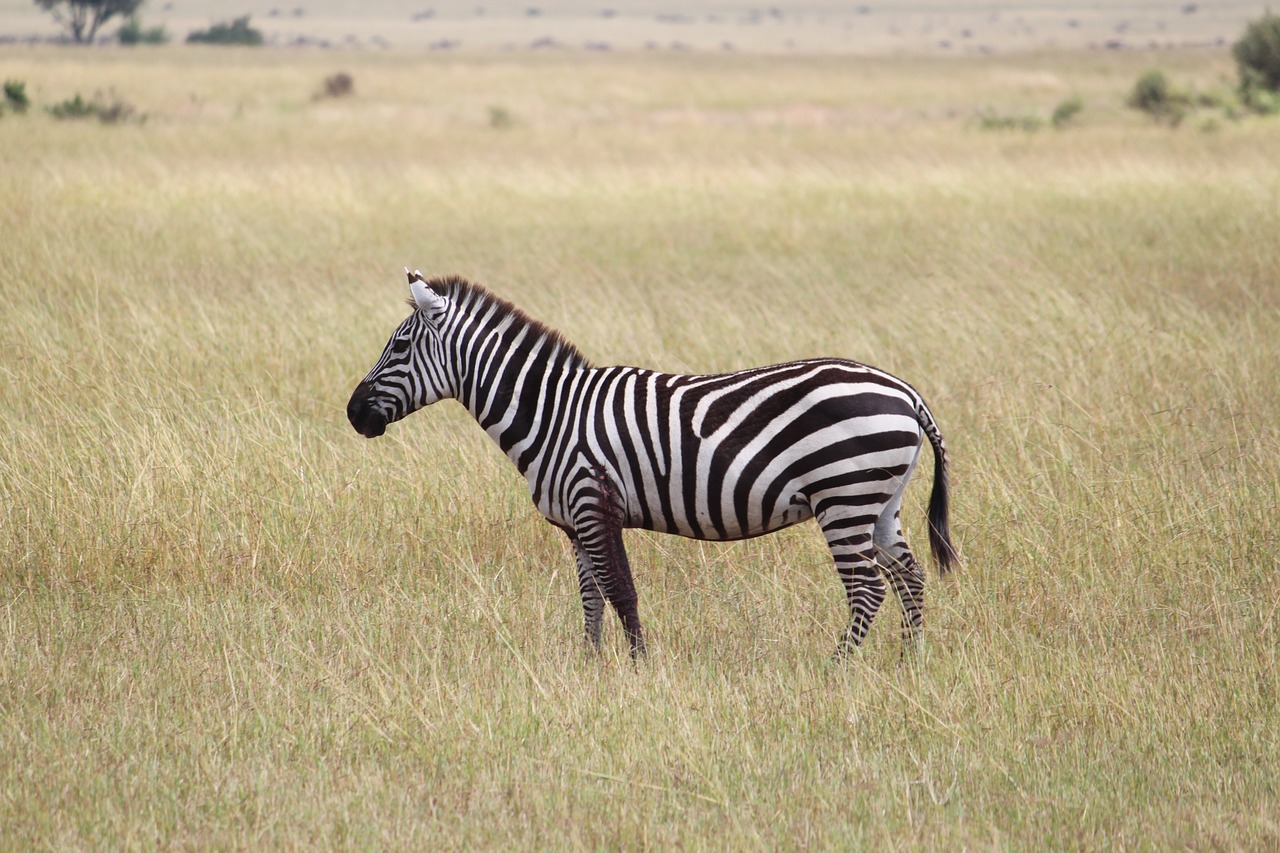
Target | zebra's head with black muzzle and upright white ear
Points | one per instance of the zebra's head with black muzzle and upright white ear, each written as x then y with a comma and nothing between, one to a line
413,371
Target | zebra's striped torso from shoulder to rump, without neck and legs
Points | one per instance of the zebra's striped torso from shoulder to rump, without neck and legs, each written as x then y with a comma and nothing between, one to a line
725,457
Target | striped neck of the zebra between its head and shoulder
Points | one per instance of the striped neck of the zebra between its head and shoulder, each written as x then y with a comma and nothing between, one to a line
511,385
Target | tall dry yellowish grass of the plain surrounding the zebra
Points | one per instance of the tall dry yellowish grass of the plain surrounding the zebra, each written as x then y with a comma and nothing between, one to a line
230,622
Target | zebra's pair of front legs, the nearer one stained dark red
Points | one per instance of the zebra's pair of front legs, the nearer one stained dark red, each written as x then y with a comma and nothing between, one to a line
604,572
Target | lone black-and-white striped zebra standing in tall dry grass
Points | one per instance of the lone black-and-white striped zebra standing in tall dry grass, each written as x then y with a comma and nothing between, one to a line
720,457
